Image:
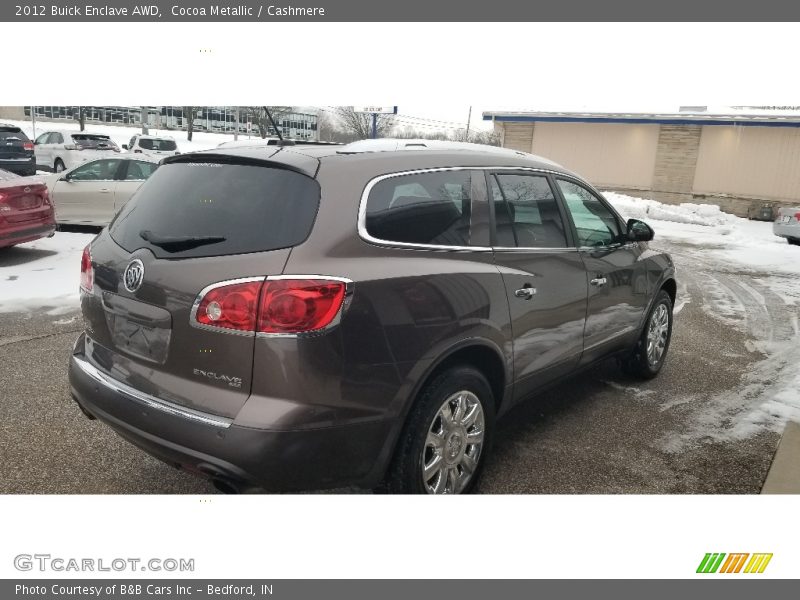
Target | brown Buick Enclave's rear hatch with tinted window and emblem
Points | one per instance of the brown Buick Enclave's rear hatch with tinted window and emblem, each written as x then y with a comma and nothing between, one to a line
196,222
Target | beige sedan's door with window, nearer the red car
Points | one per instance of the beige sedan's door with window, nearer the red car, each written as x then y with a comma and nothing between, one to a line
85,194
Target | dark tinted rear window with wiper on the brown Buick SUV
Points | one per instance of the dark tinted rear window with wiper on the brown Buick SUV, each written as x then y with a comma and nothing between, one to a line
212,209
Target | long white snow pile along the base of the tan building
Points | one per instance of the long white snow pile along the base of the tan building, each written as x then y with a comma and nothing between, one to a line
708,215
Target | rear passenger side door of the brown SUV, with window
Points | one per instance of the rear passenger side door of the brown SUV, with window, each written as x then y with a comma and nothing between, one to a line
543,274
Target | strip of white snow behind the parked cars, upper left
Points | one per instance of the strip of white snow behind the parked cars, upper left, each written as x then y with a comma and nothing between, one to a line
201,140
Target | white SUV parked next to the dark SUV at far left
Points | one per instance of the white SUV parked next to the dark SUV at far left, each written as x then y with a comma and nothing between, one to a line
58,151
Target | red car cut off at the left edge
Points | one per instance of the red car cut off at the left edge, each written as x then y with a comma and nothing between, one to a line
26,213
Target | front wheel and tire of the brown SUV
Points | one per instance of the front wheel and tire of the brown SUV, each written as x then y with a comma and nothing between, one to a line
645,361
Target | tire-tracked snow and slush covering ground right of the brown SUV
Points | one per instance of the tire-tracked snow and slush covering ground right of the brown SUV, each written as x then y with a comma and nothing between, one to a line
750,280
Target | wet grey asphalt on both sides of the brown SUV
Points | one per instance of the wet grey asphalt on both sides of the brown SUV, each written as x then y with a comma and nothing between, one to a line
694,429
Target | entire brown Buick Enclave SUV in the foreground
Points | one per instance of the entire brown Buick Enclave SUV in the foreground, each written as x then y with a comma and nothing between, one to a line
356,315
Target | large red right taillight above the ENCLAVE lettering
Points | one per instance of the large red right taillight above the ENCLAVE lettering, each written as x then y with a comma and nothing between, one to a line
272,306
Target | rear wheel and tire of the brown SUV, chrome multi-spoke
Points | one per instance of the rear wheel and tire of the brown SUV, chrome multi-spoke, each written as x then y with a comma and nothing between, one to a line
460,390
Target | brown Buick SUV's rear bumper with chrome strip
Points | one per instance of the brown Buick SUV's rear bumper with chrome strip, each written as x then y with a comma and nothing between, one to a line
218,448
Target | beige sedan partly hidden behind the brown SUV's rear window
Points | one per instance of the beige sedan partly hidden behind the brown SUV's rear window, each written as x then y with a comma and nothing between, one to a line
93,192
